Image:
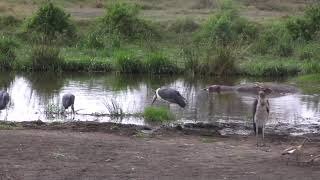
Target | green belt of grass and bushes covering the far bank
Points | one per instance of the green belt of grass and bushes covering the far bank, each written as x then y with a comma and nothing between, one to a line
122,40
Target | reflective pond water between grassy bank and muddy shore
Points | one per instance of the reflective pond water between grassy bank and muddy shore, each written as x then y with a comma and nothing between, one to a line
32,93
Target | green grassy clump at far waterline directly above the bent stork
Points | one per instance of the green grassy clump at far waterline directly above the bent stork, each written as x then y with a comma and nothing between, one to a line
158,63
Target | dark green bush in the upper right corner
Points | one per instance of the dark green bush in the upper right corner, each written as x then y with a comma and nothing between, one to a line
305,27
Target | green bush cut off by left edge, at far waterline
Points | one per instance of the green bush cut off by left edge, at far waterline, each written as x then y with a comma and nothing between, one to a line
7,53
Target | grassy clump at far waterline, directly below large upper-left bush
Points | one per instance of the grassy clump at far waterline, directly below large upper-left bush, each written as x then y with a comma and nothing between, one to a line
45,58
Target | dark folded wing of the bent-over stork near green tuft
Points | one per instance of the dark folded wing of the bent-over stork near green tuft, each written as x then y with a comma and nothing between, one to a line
172,96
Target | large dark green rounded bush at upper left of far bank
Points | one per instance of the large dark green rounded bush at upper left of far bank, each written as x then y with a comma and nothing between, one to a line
51,21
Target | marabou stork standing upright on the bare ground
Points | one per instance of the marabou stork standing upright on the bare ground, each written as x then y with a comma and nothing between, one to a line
260,115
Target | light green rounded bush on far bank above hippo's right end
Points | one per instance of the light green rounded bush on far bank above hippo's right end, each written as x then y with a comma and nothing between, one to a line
276,40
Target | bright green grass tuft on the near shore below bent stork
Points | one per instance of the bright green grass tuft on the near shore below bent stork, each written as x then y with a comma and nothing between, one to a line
157,114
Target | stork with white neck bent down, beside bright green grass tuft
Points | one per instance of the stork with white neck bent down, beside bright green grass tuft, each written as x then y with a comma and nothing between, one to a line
170,95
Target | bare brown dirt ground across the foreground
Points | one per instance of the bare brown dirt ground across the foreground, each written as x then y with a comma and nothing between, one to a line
69,154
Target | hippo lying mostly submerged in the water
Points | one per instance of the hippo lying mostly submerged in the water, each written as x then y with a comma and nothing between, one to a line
251,88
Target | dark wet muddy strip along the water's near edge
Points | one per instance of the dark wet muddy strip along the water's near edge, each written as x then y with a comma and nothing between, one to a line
200,128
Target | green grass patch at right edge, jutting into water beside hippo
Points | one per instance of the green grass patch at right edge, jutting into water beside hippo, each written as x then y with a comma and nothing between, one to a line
310,84
